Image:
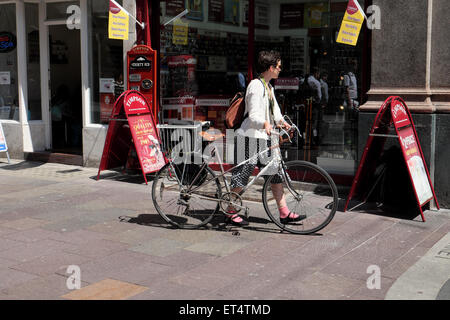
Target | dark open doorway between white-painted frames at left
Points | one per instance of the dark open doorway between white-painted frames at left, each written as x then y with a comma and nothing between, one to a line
65,89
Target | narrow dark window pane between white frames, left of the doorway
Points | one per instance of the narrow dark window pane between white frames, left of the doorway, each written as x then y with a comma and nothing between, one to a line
33,61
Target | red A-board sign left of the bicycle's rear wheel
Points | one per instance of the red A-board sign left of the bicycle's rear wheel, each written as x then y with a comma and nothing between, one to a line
132,125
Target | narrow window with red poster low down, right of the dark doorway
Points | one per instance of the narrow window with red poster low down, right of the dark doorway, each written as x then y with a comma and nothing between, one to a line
106,63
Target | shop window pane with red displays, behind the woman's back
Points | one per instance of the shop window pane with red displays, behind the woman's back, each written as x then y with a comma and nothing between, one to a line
203,54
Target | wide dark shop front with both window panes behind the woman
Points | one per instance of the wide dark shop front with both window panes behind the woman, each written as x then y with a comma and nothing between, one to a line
209,54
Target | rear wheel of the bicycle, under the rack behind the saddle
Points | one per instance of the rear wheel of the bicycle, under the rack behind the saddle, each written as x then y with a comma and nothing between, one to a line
179,206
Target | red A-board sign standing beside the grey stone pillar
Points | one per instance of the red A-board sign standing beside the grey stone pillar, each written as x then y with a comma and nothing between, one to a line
394,111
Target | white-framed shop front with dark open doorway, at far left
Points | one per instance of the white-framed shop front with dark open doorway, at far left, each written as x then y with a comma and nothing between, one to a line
60,75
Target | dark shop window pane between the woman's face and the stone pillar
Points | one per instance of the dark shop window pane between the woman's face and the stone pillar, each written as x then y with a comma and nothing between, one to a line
305,34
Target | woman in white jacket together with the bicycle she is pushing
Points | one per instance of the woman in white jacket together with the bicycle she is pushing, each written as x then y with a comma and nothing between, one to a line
298,196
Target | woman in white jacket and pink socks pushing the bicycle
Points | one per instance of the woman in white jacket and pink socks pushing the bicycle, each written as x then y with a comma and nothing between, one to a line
254,135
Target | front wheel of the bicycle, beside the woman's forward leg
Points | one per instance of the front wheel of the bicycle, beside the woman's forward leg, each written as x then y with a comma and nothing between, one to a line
309,191
